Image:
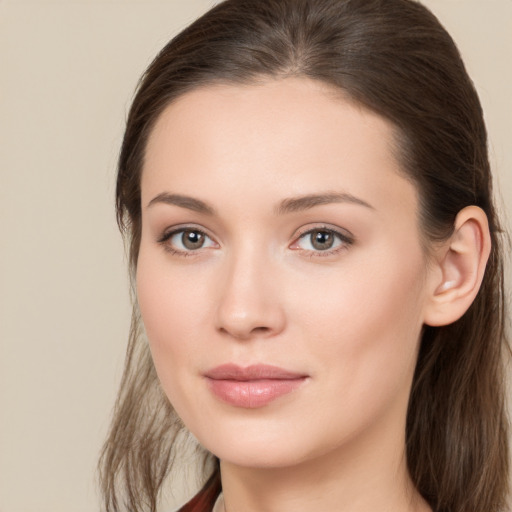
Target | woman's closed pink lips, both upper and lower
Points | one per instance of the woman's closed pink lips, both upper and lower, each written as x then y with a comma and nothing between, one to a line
253,386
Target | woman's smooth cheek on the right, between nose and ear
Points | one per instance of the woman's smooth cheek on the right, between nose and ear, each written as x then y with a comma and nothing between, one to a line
364,325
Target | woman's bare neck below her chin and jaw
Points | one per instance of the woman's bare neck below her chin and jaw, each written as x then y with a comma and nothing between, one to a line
369,473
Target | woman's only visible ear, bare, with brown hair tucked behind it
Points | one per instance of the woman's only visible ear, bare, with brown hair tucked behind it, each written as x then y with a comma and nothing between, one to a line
458,268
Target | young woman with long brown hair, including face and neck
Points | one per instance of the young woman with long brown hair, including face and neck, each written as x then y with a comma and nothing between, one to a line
316,259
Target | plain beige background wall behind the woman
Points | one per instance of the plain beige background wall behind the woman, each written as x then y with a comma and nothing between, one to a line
67,72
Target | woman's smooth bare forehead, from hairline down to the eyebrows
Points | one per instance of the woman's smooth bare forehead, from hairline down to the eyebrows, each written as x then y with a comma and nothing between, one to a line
287,136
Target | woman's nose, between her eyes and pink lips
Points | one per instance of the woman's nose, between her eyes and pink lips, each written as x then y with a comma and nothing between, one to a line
250,304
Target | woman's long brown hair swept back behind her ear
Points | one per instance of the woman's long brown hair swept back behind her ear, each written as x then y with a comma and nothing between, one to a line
394,58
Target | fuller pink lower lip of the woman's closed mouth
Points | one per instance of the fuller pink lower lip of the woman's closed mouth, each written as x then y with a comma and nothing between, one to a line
251,394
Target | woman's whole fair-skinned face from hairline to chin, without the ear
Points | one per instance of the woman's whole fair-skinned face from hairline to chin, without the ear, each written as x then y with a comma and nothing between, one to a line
281,277
